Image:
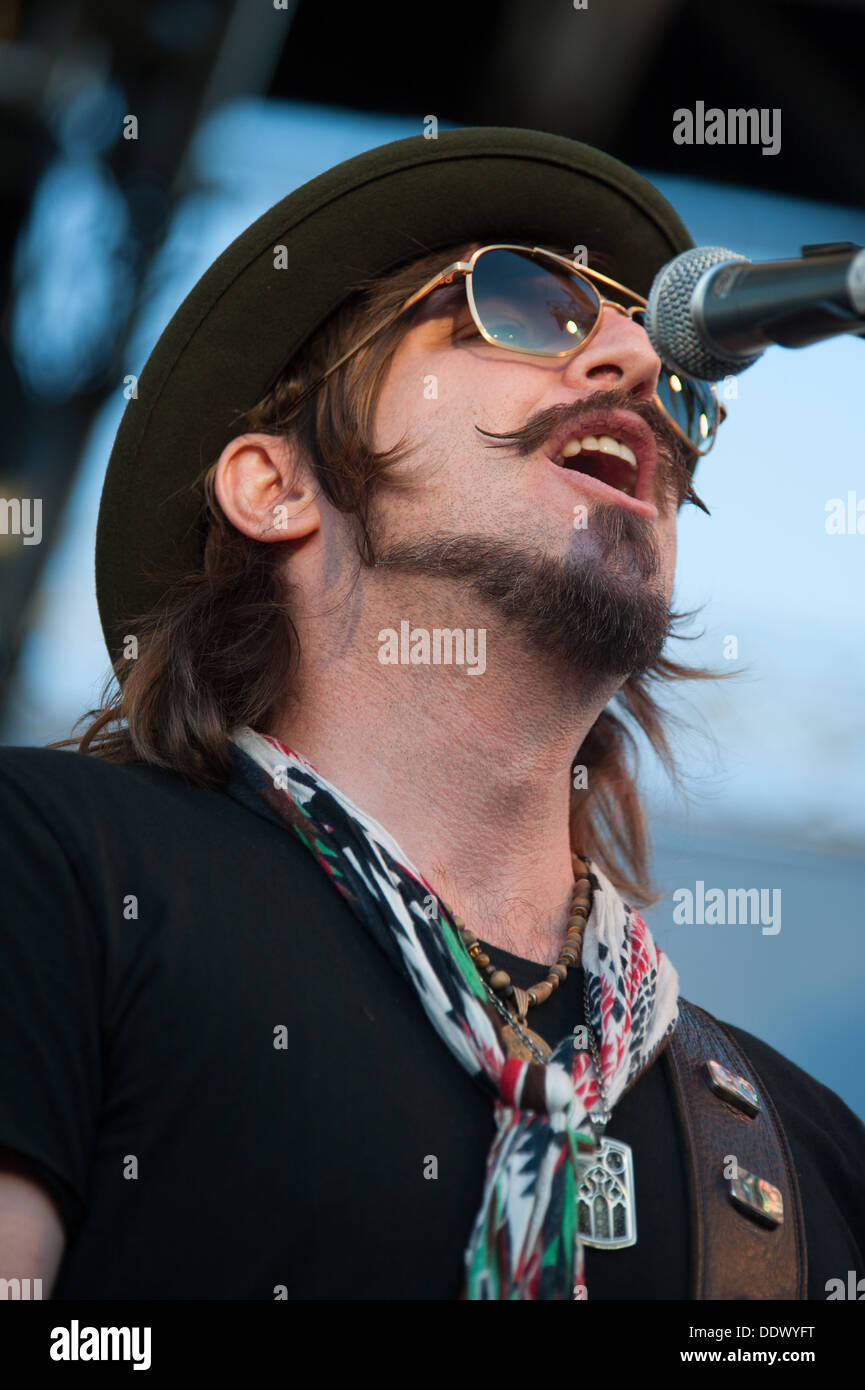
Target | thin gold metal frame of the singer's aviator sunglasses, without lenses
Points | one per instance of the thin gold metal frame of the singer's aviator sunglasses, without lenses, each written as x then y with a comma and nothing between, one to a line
450,275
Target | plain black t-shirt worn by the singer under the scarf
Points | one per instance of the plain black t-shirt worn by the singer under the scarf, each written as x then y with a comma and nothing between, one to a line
155,940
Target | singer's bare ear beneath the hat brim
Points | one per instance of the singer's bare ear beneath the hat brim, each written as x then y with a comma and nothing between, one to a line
265,491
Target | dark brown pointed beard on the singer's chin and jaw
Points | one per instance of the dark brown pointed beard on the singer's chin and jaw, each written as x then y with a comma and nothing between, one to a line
601,610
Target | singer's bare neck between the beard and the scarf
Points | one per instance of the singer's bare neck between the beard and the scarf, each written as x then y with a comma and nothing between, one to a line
471,774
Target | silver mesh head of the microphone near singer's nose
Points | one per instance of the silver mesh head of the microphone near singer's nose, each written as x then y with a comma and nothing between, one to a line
670,322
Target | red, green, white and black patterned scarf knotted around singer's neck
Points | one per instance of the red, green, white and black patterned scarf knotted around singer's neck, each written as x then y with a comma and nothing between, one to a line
525,1242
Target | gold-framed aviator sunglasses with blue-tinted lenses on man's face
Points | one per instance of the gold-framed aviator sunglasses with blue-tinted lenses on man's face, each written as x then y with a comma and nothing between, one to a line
532,301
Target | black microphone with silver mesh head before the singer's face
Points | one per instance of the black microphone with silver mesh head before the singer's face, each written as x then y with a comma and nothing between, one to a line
713,313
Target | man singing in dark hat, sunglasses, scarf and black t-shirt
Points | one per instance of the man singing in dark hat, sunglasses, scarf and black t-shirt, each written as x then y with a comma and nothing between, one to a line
325,972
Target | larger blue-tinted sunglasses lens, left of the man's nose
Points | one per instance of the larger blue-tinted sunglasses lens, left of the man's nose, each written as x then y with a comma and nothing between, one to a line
529,306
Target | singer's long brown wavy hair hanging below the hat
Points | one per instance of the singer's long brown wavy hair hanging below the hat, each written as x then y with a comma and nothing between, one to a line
222,650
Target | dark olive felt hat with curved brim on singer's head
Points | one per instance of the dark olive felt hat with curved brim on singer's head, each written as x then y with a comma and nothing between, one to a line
244,320
